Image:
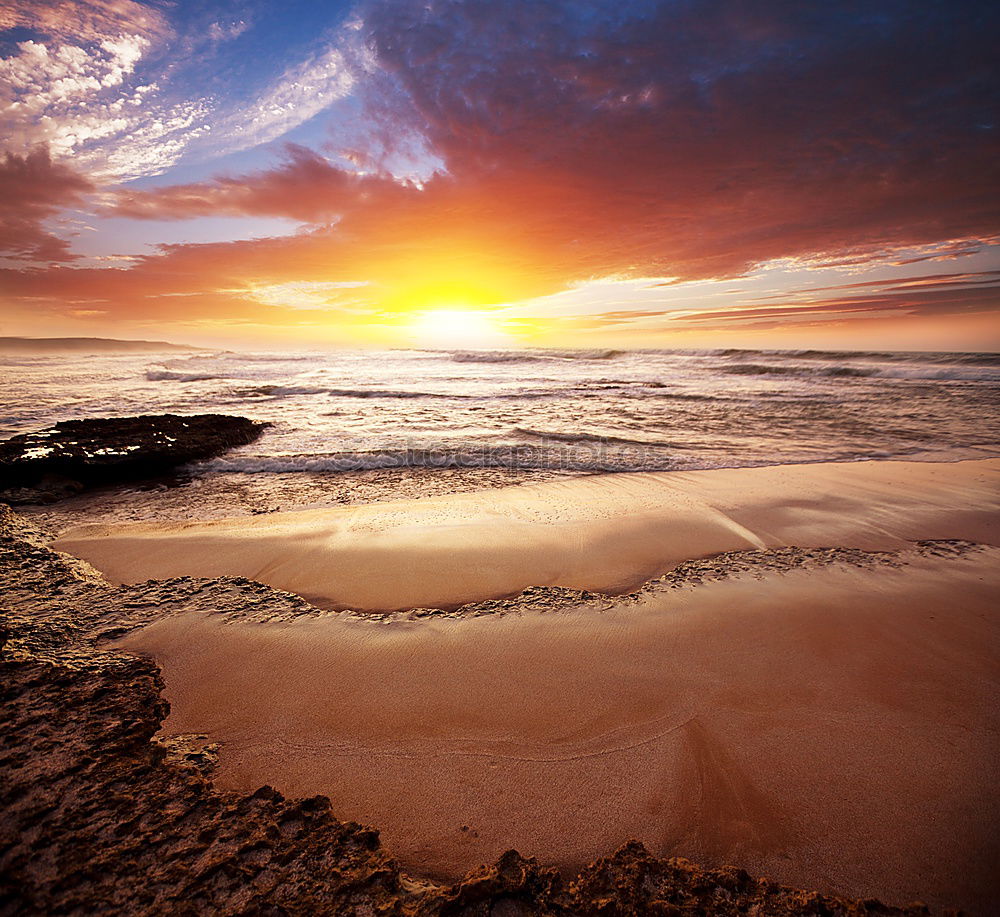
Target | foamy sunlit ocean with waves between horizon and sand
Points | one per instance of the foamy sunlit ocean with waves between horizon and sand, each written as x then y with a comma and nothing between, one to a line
572,410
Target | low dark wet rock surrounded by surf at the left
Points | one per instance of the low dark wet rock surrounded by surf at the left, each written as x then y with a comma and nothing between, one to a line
76,454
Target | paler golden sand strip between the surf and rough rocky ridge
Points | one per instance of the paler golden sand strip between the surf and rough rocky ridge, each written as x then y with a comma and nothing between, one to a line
606,532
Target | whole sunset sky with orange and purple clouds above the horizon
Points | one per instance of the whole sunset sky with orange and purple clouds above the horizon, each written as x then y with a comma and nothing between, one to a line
502,173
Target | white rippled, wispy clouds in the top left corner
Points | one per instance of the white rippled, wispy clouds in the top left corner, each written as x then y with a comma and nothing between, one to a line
127,94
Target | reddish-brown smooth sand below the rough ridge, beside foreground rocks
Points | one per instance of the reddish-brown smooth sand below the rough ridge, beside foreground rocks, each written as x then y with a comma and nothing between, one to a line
835,729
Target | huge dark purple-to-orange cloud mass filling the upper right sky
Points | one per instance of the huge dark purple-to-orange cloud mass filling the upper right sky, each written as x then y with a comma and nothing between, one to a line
697,140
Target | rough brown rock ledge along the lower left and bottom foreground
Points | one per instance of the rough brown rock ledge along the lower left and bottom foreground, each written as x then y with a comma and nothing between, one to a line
97,816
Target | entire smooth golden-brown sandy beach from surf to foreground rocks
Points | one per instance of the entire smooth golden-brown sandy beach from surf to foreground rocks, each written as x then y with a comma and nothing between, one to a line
794,670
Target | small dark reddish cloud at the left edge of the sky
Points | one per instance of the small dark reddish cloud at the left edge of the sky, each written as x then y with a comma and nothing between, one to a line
33,189
